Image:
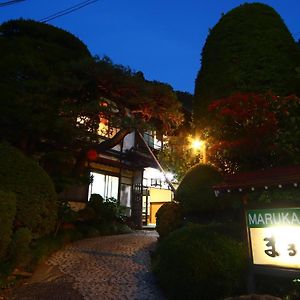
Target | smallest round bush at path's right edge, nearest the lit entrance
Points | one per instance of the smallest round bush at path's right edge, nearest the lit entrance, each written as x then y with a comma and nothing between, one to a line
168,218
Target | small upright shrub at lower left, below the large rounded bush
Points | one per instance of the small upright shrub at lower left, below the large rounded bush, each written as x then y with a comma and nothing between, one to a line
20,247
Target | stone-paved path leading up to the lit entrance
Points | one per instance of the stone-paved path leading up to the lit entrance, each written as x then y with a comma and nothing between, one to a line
108,267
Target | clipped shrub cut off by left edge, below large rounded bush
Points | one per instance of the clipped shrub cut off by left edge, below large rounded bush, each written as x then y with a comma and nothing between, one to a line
7,215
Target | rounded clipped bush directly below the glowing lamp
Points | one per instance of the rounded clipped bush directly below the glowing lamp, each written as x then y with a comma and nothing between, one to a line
195,192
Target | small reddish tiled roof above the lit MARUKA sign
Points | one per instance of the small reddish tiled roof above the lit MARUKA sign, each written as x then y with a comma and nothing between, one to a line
273,177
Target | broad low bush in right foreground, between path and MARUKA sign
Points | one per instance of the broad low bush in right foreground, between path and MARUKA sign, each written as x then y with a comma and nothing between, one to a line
196,262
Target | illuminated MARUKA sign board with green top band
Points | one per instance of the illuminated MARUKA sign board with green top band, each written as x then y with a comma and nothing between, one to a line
274,236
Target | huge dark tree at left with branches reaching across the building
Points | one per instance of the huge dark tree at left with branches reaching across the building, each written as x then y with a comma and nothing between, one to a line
53,94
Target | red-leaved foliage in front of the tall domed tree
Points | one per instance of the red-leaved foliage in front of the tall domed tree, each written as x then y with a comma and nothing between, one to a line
251,130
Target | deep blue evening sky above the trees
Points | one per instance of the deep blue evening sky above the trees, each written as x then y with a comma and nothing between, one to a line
161,38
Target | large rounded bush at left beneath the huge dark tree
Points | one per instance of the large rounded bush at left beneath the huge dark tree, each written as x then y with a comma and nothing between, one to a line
34,190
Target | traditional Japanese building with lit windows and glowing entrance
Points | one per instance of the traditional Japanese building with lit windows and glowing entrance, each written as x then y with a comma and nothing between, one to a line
119,173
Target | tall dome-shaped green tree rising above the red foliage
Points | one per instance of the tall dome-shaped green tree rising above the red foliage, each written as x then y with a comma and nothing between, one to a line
249,50
